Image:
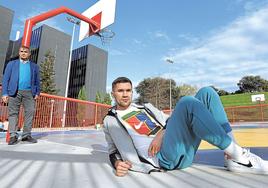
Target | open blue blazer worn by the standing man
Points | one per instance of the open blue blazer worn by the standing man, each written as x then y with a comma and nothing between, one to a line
11,79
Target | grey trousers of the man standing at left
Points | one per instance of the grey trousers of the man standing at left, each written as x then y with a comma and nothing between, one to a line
24,98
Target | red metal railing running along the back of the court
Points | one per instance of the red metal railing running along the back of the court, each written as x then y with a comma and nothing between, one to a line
83,114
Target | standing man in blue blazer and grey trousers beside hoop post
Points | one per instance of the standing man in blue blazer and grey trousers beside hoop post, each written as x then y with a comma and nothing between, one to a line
21,86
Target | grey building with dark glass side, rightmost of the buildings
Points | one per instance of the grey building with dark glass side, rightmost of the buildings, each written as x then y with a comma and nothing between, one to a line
89,69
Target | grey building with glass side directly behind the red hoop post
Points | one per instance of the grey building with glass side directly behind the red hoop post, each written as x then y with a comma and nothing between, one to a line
43,39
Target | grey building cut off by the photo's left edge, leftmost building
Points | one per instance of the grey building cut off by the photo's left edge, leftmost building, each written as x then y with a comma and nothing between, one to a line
5,29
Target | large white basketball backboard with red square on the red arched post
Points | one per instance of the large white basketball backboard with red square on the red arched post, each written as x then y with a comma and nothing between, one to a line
102,12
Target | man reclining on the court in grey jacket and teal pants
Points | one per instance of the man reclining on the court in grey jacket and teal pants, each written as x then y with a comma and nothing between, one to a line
141,137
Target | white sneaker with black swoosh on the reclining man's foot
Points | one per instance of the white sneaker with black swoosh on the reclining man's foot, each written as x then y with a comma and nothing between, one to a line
254,164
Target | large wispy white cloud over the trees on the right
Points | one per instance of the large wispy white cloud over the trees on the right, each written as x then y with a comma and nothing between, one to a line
222,59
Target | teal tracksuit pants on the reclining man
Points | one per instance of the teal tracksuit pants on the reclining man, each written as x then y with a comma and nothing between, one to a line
194,119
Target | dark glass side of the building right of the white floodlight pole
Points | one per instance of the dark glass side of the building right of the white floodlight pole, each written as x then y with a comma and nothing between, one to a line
78,71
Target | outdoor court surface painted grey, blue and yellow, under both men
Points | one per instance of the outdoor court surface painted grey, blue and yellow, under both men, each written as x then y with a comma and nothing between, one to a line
79,159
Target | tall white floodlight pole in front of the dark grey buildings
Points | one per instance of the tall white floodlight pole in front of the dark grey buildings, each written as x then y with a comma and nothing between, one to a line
75,22
